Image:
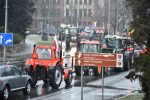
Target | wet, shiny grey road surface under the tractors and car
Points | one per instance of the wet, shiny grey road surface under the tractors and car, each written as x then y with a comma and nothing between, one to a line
114,86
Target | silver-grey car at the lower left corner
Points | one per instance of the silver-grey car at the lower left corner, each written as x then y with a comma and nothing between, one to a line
12,79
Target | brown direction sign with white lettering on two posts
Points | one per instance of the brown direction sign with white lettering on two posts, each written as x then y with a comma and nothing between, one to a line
99,59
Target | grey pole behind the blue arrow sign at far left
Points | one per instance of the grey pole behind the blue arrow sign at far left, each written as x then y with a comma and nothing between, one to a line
6,20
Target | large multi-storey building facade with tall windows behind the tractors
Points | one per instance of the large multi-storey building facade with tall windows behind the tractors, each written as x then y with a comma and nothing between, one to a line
50,13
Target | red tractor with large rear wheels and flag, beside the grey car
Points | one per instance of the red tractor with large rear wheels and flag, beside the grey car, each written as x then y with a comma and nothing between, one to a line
47,64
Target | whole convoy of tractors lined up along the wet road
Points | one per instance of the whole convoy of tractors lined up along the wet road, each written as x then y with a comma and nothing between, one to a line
47,62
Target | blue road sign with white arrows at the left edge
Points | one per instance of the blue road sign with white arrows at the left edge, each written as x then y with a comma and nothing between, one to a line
6,39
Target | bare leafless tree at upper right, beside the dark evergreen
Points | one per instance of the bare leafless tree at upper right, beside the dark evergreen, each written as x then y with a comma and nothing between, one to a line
117,22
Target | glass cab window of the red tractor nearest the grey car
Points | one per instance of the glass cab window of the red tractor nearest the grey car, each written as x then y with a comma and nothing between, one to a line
43,53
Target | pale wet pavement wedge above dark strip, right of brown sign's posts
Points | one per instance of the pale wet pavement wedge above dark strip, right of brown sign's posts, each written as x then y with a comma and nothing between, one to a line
119,81
